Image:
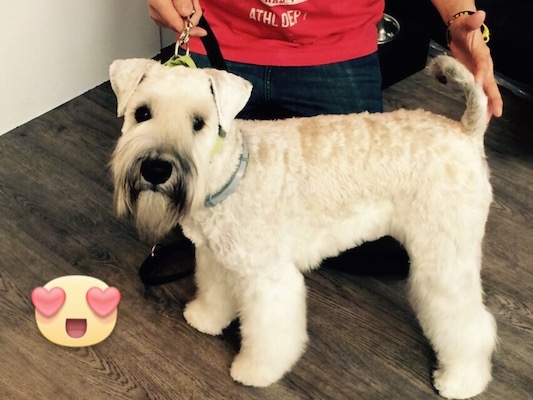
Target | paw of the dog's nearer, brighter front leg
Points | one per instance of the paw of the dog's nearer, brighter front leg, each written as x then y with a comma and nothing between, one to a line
250,372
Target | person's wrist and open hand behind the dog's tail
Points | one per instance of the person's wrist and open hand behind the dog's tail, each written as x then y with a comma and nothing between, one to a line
467,45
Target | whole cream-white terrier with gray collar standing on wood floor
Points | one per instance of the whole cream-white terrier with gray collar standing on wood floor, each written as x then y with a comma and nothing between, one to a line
266,201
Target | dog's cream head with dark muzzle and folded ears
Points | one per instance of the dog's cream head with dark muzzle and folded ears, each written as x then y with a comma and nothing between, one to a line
172,118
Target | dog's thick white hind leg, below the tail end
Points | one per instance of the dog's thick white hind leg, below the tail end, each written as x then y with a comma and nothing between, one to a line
446,293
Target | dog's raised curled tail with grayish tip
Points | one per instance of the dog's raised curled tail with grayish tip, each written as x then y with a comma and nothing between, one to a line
475,117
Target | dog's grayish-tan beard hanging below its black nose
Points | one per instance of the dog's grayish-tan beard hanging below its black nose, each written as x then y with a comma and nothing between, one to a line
155,215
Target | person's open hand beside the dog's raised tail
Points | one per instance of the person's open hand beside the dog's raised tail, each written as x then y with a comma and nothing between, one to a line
467,46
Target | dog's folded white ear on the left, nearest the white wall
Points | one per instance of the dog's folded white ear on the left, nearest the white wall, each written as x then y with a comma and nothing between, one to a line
125,75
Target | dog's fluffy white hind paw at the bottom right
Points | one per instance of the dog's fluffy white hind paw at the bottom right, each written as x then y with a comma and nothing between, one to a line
461,382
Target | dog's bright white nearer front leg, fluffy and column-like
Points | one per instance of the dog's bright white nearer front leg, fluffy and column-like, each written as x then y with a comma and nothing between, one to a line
272,310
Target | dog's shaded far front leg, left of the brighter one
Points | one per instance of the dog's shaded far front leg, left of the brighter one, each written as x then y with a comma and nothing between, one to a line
214,307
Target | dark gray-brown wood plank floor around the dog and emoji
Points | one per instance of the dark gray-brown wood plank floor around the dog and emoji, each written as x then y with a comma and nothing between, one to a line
365,343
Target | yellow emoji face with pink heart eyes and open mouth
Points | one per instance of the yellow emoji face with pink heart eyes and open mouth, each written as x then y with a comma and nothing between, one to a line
75,310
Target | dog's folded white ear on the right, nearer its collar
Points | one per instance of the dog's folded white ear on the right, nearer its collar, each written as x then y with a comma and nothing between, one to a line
231,94
